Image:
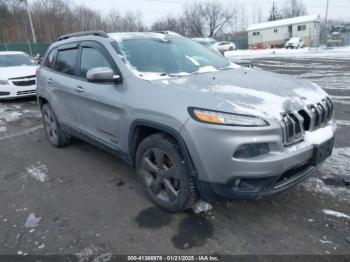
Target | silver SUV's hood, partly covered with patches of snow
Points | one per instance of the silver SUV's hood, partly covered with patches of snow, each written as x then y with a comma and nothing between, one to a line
248,91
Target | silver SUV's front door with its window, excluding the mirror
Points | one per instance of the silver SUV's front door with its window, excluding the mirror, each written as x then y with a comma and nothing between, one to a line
101,110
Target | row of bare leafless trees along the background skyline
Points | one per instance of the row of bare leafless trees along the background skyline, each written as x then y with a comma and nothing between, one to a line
52,18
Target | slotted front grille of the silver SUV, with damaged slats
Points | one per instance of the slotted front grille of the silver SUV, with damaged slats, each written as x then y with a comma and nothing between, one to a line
311,118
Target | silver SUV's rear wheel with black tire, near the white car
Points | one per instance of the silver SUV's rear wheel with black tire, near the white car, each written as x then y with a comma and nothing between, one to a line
53,131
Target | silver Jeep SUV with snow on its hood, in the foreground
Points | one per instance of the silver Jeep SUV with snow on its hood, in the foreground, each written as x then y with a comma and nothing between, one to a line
191,122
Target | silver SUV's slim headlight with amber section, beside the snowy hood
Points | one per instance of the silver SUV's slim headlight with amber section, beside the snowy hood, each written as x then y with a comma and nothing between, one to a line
222,118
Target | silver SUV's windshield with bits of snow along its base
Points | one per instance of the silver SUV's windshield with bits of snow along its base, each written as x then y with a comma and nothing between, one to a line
170,56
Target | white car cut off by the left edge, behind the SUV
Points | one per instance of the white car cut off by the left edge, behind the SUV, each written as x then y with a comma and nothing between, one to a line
17,75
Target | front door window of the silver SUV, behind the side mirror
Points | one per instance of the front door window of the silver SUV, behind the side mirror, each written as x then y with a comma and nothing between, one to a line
91,58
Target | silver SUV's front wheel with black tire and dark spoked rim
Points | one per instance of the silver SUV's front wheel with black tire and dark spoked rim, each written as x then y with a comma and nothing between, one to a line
162,171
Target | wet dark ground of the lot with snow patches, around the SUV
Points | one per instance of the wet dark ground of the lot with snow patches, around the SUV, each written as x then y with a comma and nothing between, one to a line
91,204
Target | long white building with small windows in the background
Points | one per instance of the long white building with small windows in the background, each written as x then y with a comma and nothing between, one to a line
277,33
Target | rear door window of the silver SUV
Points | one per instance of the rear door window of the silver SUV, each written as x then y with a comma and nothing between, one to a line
65,62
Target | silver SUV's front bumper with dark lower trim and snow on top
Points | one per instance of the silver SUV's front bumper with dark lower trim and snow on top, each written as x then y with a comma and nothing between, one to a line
218,172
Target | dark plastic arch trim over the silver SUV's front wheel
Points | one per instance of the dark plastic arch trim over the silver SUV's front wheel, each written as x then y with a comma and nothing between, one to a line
140,129
